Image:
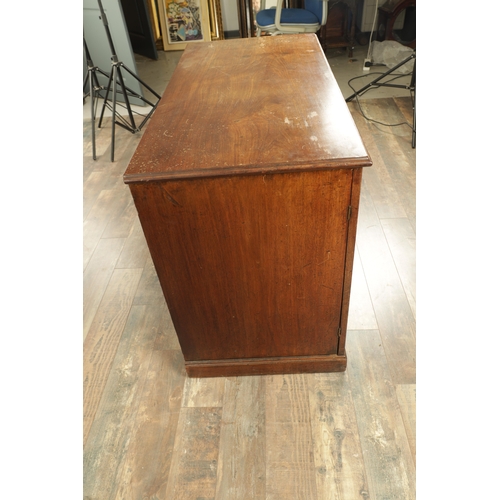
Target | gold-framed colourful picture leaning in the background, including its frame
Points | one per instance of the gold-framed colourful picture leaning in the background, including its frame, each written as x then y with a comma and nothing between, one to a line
184,22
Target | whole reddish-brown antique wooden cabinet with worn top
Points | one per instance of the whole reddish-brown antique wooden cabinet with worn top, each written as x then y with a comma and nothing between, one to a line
247,184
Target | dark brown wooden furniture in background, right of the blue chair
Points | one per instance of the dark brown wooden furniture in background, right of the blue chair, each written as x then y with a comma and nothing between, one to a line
339,29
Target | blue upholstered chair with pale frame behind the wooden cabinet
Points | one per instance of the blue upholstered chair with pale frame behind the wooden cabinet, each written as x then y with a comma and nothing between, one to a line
279,20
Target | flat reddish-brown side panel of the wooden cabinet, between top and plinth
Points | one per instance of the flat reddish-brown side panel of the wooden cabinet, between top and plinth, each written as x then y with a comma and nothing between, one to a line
251,266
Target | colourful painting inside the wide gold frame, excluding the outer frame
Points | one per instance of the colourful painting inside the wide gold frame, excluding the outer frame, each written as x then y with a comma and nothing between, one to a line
184,22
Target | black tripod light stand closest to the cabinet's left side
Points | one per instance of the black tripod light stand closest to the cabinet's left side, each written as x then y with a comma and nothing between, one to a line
115,80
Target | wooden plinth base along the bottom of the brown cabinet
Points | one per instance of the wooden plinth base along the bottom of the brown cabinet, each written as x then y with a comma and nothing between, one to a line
266,366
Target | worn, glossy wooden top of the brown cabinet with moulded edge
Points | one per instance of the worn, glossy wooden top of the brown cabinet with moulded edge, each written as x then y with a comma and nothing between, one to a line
249,106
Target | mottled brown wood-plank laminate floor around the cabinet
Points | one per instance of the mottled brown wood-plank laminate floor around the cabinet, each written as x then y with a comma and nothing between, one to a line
152,433
